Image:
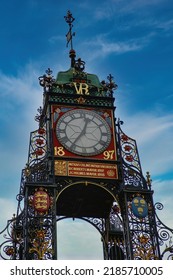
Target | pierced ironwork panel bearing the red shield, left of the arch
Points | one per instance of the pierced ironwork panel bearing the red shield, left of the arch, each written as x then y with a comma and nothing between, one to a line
40,223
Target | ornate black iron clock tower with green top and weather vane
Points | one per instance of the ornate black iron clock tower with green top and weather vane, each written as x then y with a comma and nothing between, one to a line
82,165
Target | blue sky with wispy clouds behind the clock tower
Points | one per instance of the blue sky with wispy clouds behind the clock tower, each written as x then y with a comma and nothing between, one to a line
132,40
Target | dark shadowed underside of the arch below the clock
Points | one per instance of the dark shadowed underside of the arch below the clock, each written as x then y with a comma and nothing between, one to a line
85,199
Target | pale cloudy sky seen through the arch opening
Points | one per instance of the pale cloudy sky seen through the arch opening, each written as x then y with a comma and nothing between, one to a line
78,234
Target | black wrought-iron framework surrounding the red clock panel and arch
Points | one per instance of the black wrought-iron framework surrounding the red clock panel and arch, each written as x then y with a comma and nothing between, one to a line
32,234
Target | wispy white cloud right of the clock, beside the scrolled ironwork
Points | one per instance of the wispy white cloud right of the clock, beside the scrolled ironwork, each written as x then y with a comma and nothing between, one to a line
154,134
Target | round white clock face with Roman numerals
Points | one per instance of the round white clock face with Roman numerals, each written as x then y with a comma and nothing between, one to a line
83,132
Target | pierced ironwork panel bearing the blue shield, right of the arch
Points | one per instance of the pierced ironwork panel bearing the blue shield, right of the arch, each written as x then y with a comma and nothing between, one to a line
140,227
